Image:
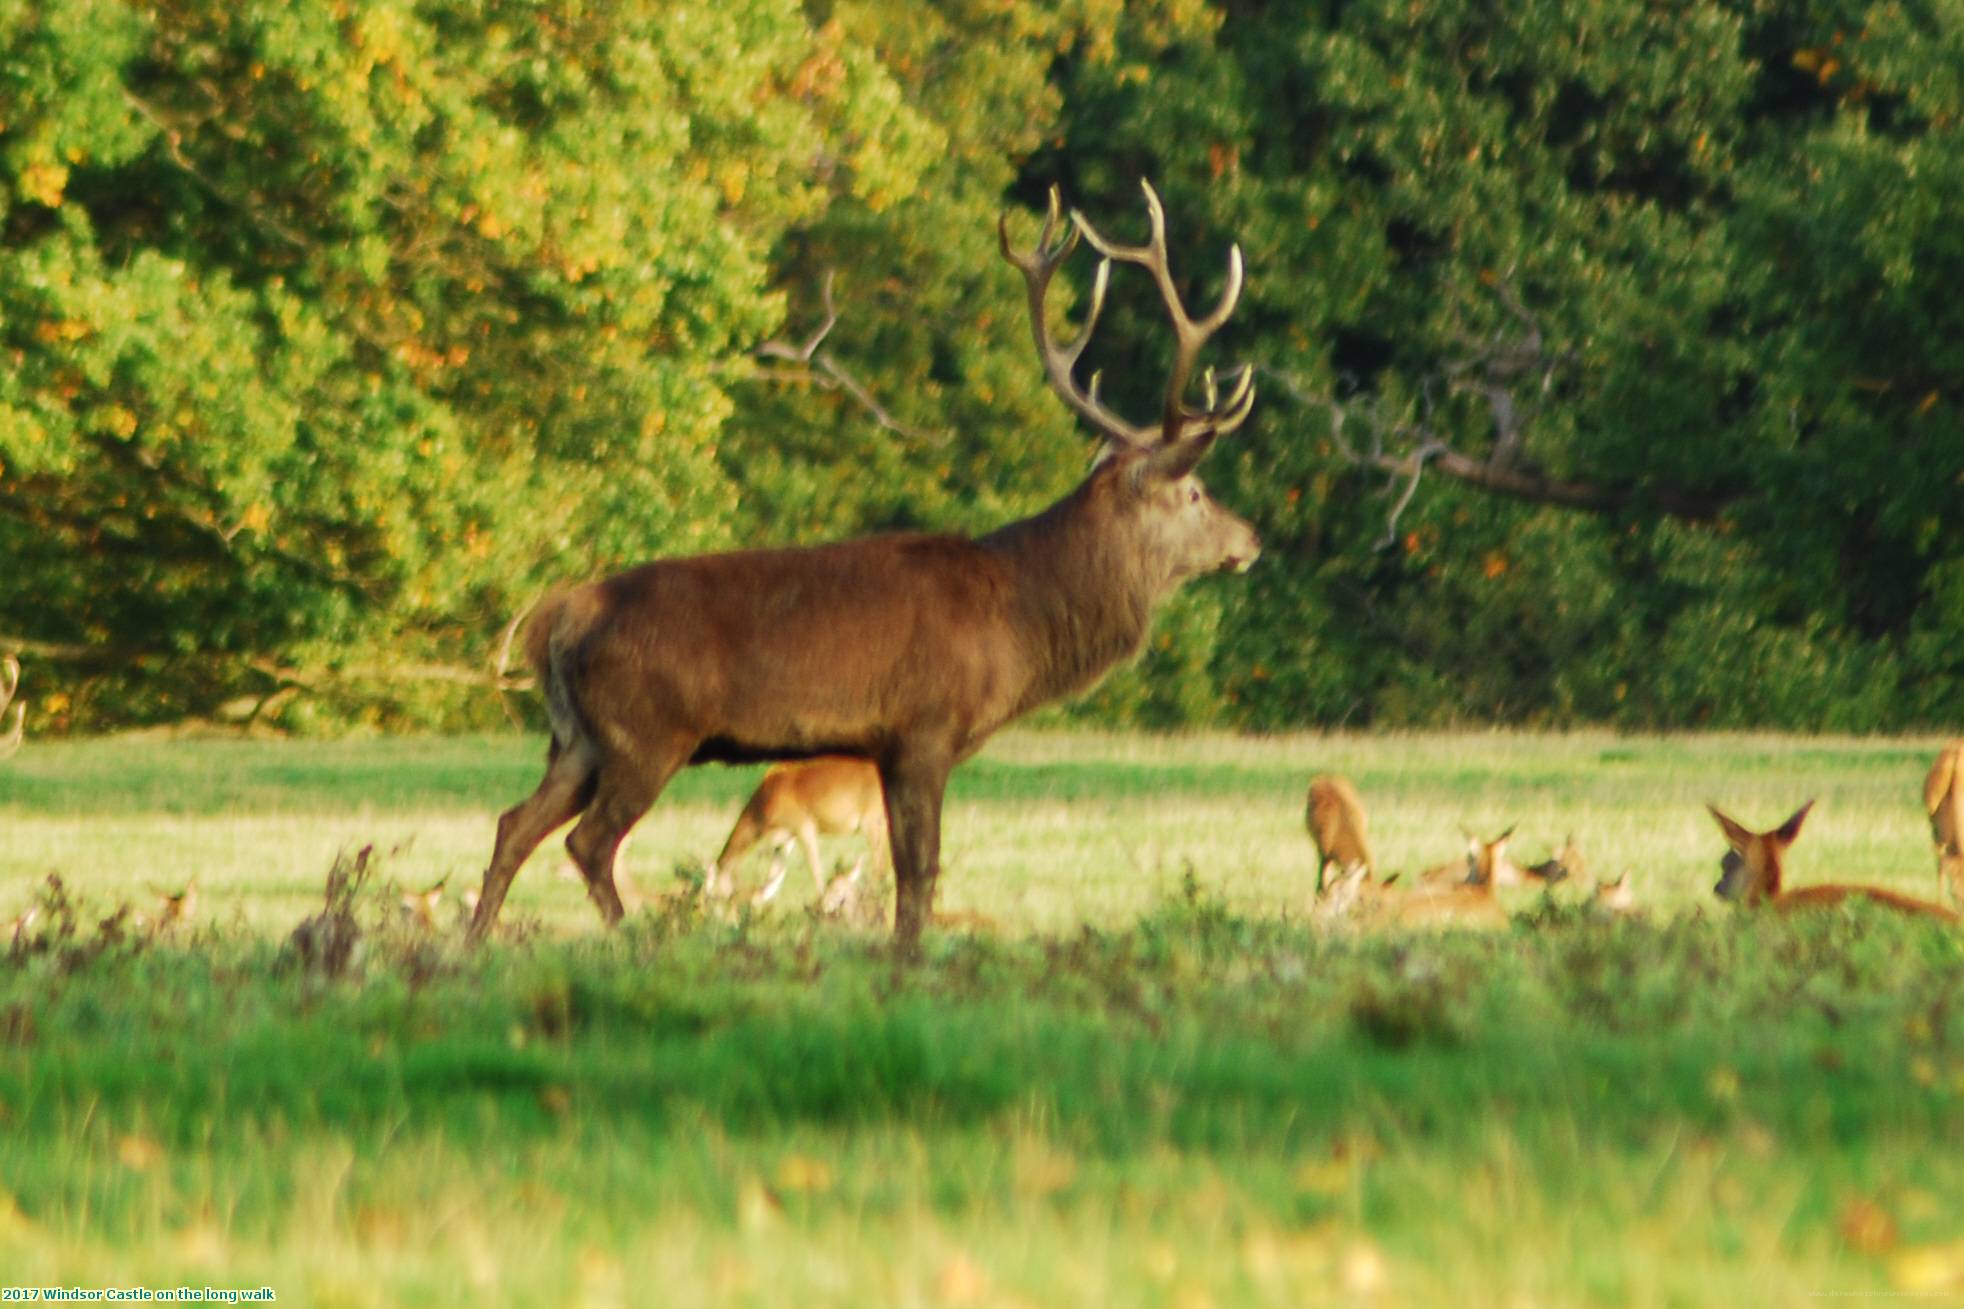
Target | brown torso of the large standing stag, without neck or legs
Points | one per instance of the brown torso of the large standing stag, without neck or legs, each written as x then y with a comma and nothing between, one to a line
800,652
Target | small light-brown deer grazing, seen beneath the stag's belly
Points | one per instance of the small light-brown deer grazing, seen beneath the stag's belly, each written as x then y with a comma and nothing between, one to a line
796,803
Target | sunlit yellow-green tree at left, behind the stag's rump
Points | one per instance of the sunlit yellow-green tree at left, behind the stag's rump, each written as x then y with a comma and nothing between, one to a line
337,331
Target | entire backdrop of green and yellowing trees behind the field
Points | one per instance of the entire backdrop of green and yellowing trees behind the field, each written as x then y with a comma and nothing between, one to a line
1611,359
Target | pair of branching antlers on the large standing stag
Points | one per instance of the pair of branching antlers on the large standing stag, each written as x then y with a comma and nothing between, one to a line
1177,422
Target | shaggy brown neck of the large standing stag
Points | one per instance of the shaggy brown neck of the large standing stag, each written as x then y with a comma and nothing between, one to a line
1083,598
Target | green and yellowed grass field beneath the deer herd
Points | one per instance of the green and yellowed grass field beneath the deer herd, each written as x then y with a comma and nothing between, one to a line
1158,1084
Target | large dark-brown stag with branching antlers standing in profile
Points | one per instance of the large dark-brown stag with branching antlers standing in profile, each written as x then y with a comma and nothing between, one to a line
908,650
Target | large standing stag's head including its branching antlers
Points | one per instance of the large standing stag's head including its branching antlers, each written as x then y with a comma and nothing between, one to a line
1150,500
